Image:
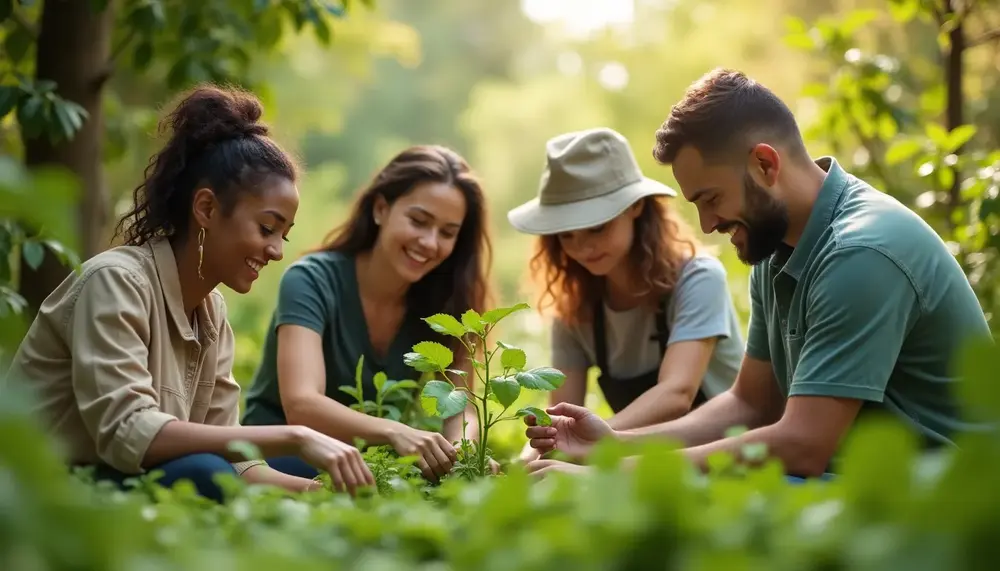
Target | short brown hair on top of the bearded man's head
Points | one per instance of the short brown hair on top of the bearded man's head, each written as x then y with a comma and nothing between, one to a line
724,113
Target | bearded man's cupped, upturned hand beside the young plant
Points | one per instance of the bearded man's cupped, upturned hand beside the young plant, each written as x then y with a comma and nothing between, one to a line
574,430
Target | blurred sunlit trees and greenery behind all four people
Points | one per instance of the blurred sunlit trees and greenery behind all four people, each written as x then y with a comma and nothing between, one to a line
903,92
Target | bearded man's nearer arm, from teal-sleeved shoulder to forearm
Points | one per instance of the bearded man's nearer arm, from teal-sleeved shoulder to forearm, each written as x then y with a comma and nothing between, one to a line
853,335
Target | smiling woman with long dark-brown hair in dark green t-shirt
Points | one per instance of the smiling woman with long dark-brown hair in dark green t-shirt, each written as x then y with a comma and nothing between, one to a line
415,244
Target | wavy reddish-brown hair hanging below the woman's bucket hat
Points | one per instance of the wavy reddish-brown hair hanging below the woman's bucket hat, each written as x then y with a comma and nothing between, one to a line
663,243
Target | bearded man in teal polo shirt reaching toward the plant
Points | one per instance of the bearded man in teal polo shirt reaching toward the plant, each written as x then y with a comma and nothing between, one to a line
857,306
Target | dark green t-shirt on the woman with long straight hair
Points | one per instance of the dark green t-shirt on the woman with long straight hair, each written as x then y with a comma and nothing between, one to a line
320,291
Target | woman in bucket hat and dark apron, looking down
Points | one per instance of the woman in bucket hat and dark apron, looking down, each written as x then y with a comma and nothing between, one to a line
631,292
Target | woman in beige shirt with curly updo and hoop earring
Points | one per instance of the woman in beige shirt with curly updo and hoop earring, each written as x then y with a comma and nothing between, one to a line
131,356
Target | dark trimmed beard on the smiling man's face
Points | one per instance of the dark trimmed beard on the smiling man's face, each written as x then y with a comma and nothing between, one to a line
764,221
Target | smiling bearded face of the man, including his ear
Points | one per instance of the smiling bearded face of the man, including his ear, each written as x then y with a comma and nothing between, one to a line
731,201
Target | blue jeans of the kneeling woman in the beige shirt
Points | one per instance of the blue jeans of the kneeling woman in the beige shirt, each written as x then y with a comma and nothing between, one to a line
201,469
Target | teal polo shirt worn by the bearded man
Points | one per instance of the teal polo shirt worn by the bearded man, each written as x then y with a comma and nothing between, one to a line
869,305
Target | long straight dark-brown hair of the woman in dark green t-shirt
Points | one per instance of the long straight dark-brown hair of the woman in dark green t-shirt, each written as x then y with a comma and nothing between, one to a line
460,282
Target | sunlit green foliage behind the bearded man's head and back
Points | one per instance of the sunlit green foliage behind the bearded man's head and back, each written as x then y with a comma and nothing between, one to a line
891,109
